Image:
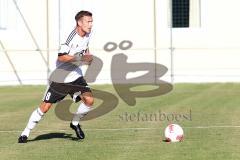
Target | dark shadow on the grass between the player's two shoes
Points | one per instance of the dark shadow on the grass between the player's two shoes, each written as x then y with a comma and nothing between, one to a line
54,136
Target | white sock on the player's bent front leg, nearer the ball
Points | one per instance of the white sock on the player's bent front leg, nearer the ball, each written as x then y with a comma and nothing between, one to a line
81,112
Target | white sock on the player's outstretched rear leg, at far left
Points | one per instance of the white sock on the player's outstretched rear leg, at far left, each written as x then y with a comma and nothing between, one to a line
35,117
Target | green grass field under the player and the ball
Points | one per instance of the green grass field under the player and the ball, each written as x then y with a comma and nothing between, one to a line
208,113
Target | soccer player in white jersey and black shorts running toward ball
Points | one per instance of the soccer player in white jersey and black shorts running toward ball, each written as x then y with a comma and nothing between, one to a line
67,78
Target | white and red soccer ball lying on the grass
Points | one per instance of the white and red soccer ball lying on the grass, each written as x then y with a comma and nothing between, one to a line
173,133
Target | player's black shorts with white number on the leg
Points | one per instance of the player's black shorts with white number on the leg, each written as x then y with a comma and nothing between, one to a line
58,91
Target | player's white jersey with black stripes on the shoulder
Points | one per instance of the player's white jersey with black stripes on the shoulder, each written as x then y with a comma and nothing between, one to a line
66,72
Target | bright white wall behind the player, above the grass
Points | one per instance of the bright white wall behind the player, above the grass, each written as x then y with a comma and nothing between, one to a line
208,53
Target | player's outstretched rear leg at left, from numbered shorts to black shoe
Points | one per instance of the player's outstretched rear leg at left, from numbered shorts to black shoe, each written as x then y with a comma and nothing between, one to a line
51,96
